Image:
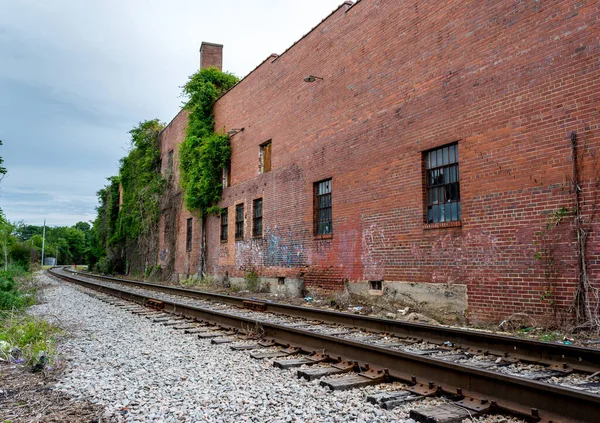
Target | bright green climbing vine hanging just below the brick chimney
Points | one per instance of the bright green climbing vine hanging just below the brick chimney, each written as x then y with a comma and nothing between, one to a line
204,153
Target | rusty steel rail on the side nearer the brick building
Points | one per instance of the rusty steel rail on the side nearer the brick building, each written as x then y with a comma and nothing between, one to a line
565,356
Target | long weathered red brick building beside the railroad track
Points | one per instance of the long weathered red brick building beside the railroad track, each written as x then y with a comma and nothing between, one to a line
421,147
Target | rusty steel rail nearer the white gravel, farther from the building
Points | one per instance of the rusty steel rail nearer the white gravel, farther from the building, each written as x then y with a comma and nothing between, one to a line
535,401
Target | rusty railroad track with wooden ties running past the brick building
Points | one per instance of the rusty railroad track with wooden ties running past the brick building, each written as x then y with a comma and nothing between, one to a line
480,372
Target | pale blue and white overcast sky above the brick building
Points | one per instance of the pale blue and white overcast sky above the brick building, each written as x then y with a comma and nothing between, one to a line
76,76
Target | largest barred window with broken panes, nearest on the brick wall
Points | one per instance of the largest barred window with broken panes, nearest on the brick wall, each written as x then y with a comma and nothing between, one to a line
442,184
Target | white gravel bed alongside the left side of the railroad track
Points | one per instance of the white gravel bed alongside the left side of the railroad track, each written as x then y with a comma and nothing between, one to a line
142,371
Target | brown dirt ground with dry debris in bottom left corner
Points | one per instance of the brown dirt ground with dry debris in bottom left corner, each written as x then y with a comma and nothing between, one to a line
27,397
